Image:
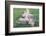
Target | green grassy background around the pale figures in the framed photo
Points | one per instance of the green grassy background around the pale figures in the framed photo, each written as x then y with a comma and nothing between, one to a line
17,13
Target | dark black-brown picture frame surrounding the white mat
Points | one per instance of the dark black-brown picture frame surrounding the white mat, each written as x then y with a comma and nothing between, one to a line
7,13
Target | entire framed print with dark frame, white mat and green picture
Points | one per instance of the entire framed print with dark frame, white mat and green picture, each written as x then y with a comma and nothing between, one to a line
24,17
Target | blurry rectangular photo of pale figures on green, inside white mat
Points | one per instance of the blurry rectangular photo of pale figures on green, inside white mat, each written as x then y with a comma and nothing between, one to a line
25,17
